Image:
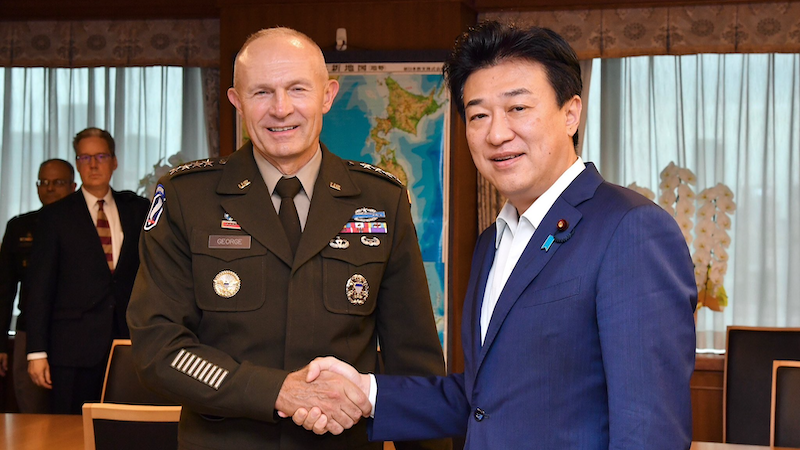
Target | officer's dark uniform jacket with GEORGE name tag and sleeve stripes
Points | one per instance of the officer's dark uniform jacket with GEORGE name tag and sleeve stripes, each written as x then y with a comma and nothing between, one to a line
221,313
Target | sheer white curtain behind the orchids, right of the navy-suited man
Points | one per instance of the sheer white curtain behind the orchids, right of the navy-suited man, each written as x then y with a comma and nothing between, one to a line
731,119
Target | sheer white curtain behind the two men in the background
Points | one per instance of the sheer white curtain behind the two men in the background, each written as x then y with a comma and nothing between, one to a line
152,113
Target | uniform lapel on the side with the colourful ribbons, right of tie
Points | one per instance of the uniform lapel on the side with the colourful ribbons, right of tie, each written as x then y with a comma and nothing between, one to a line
330,208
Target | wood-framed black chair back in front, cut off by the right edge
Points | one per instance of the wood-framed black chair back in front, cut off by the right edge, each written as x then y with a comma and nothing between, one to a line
784,425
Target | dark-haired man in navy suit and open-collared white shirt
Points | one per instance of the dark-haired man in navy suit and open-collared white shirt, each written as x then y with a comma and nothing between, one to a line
578,323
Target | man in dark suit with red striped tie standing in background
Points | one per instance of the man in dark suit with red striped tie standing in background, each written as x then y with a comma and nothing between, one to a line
85,260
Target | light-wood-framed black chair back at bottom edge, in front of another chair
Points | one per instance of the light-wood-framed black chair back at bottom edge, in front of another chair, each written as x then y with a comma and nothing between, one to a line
109,426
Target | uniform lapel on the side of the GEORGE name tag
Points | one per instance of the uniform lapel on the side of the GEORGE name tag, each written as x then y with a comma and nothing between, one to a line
250,205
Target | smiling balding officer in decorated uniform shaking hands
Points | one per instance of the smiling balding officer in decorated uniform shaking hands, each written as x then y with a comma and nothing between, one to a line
235,294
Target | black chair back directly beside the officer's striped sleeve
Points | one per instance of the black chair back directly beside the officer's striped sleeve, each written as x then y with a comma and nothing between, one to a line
122,384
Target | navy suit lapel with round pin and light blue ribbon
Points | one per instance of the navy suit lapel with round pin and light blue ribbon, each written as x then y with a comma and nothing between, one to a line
535,257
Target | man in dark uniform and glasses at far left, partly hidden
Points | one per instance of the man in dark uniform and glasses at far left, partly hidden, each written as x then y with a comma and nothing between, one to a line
56,181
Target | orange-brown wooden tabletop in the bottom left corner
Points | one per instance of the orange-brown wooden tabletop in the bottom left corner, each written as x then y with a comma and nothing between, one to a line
41,432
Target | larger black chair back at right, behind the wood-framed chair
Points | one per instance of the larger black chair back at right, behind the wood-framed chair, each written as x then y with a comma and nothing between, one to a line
748,380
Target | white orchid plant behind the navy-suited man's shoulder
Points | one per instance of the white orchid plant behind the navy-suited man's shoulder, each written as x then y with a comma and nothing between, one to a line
710,240
